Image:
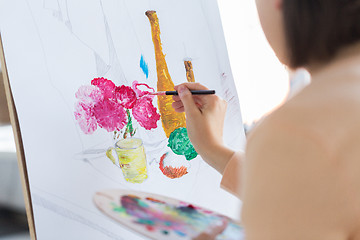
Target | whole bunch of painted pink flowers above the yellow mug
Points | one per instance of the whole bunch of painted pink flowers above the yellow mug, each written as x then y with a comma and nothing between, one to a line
103,104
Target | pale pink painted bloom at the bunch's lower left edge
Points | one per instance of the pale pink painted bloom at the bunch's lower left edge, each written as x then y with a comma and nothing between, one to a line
85,117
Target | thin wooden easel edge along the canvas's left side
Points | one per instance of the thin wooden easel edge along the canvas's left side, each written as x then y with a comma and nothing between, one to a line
19,145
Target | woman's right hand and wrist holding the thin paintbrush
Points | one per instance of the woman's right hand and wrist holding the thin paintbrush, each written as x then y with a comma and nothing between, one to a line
204,122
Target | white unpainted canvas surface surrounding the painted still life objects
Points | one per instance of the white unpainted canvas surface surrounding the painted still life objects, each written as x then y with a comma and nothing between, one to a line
52,47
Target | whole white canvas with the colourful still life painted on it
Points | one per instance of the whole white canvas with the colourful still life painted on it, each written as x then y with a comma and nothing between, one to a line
81,74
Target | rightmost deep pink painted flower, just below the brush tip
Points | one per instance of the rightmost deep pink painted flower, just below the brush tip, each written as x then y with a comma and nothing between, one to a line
145,113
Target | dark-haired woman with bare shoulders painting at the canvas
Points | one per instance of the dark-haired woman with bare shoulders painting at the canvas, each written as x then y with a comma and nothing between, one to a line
300,176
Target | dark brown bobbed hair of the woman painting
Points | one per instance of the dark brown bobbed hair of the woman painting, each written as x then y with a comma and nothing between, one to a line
316,30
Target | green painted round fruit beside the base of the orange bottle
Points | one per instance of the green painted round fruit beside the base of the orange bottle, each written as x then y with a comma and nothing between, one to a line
180,144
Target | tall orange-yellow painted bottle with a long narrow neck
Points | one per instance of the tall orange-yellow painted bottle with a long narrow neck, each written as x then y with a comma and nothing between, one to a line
170,119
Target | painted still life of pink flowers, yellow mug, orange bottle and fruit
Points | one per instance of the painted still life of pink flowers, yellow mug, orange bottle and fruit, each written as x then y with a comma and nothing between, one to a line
105,105
